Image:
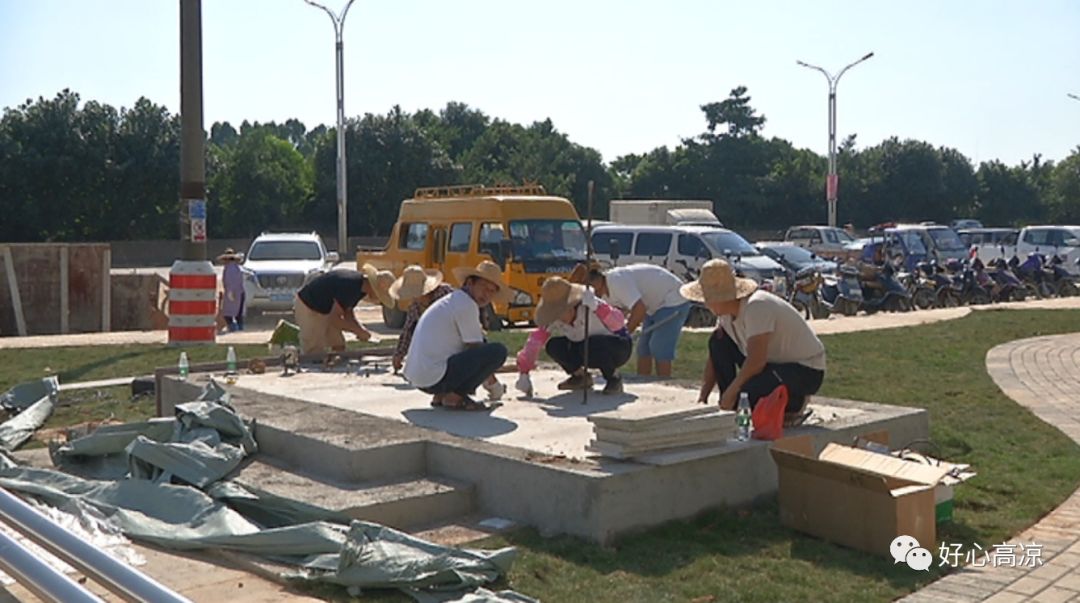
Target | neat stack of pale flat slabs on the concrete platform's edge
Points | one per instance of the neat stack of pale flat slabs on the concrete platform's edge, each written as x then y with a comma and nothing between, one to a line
639,431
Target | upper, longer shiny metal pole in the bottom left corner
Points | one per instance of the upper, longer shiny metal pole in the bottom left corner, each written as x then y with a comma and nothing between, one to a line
123,580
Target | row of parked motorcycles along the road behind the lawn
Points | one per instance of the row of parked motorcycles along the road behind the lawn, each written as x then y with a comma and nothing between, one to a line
869,288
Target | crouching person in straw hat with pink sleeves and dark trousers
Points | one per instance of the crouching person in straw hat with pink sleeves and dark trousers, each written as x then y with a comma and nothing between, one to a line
561,321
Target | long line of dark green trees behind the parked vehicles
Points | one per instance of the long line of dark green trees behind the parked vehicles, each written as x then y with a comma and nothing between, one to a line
73,171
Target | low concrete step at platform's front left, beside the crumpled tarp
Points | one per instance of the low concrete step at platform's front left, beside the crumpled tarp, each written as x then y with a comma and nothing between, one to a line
403,504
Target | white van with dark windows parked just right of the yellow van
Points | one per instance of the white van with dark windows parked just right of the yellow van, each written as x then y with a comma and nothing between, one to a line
682,250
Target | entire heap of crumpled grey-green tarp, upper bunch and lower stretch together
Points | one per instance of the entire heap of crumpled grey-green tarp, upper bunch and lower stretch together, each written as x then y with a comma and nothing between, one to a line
202,445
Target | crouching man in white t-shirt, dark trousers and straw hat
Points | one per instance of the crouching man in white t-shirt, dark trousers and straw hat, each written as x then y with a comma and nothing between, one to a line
449,356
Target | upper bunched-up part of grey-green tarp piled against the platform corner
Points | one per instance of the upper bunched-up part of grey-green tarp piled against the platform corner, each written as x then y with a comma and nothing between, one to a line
204,444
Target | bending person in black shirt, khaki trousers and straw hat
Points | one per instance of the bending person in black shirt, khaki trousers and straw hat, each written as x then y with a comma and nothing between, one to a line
325,307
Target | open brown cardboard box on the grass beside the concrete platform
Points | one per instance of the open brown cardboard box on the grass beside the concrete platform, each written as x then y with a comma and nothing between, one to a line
856,498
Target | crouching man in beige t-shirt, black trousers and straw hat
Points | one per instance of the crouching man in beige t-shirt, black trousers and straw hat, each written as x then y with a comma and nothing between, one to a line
762,342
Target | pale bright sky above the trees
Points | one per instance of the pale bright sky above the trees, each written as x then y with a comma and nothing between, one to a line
989,78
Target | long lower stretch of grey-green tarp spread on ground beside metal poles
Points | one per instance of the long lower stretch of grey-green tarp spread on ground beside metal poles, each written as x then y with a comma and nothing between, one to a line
179,517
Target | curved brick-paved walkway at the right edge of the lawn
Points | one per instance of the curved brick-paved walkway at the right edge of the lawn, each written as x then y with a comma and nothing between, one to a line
1044,376
